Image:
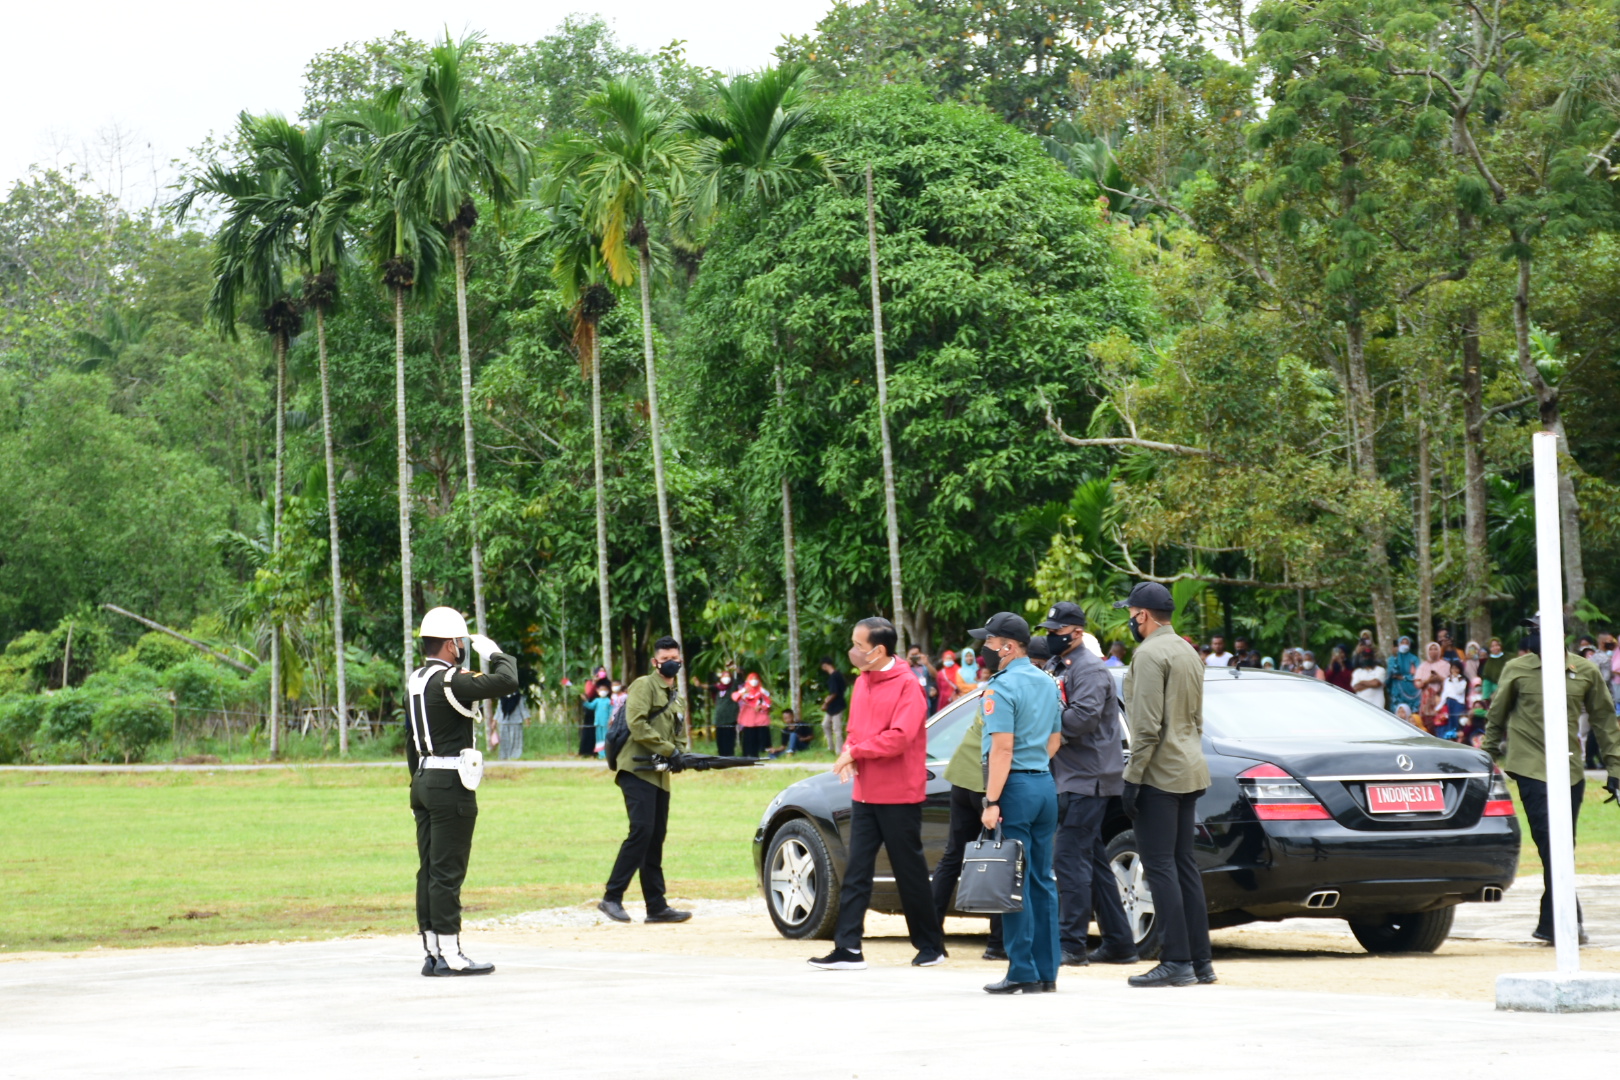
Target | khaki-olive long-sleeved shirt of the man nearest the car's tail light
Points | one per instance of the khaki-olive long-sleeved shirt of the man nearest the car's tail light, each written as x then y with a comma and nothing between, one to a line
1164,708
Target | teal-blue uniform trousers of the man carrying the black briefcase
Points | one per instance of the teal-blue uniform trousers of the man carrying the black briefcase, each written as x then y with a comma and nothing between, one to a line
1030,814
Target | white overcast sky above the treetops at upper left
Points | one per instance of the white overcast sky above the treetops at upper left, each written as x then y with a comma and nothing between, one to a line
164,75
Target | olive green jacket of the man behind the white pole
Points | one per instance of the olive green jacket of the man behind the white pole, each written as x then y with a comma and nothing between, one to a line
1517,718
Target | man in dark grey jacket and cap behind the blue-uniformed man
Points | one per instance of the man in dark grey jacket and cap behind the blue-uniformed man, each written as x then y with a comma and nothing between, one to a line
1089,772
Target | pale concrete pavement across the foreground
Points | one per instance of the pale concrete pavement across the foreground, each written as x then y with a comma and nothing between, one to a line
360,1010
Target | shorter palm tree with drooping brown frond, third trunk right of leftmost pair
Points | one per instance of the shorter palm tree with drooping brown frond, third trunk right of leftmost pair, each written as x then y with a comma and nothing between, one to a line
582,278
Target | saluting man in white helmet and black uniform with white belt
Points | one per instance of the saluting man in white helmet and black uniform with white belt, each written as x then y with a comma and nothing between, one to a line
446,770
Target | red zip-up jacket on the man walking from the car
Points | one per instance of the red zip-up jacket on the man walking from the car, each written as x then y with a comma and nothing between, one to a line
889,738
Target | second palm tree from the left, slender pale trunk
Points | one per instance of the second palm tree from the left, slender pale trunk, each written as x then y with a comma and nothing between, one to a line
318,200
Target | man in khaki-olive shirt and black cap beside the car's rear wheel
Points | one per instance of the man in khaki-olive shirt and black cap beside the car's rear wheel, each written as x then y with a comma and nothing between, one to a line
1164,708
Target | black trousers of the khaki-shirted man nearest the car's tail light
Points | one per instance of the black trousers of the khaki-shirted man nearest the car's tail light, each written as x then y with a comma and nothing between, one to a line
1164,836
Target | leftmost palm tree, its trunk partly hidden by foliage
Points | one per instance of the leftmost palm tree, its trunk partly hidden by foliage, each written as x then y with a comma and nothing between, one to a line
252,261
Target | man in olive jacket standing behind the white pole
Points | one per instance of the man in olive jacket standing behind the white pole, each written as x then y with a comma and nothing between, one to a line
1516,738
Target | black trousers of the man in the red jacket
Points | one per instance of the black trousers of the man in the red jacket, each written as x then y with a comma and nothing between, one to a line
898,830
